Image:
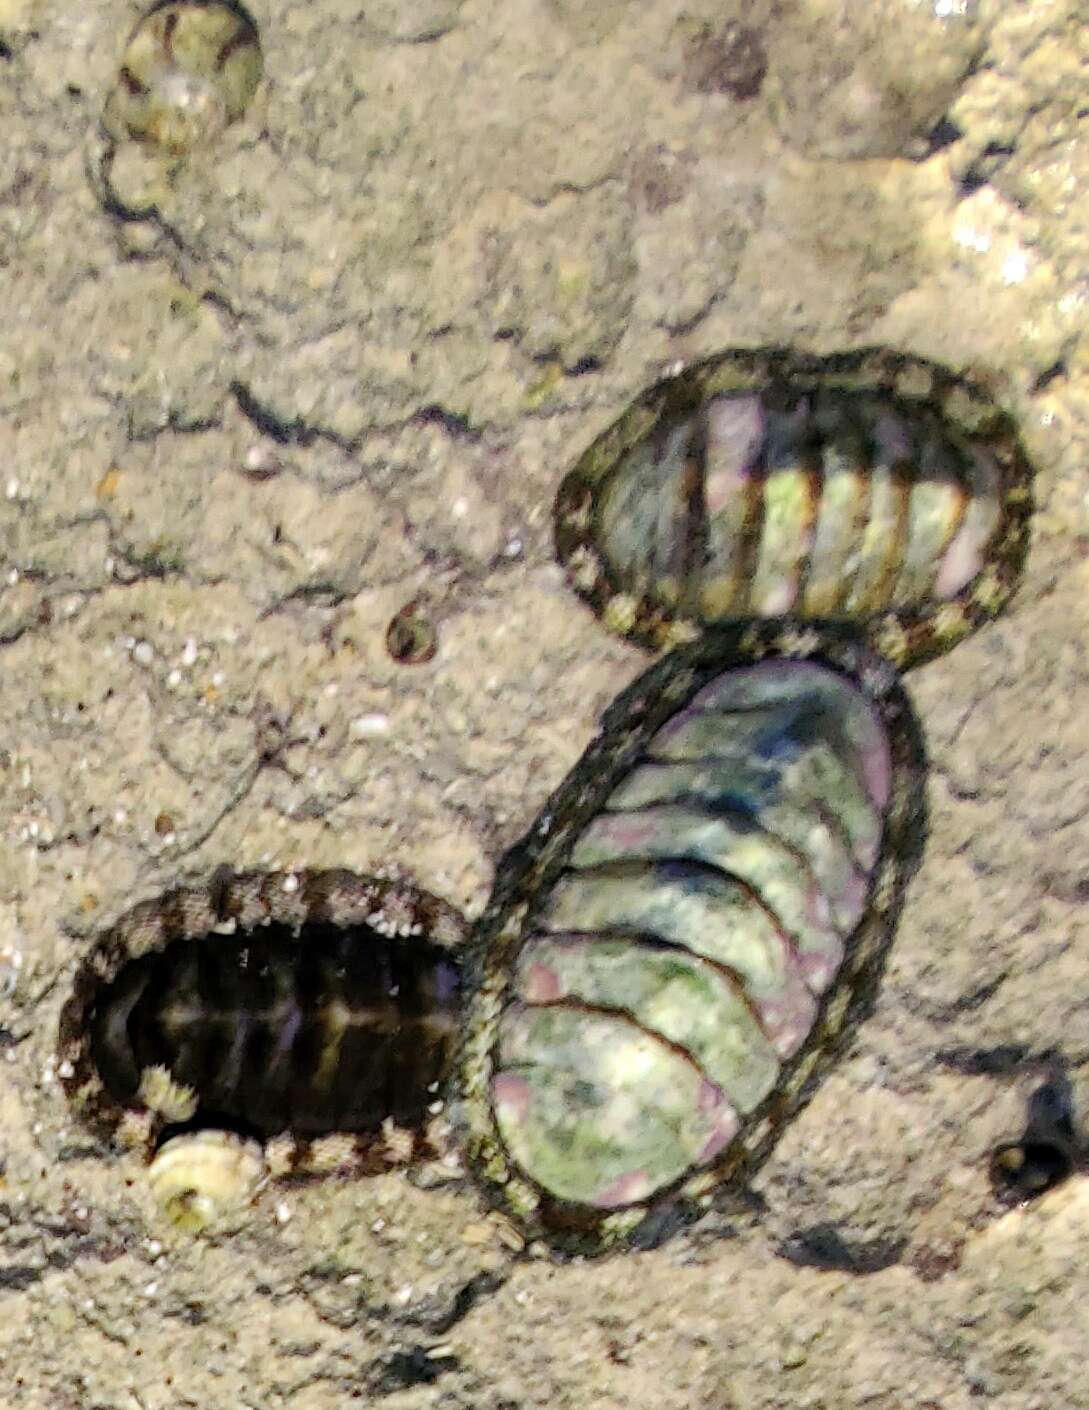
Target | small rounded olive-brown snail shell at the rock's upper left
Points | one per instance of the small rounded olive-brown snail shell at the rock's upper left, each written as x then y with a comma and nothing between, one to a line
188,71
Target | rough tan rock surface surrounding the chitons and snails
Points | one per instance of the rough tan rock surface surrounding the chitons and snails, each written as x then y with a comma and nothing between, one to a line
253,405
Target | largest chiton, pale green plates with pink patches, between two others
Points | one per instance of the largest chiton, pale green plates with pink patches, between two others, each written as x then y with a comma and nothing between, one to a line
698,919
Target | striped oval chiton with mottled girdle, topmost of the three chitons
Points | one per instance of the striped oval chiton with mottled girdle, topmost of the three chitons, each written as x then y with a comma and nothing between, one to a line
867,487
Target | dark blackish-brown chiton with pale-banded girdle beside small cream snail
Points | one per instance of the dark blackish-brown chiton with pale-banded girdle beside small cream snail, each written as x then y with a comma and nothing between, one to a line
312,1009
